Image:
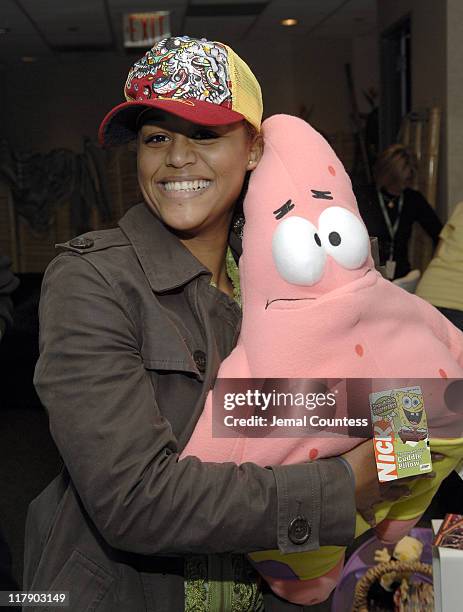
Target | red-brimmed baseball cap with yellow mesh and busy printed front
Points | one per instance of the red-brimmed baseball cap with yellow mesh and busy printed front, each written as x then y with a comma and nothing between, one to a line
202,81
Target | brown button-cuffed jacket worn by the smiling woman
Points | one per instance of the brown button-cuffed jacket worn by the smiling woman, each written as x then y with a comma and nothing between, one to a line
131,338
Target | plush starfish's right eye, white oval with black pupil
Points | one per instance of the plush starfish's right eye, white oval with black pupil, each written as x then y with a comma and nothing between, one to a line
344,237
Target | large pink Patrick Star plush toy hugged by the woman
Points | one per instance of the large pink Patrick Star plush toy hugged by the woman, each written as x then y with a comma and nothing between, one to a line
315,307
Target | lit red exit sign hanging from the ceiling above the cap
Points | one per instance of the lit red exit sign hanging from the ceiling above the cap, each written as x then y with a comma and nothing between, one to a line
146,29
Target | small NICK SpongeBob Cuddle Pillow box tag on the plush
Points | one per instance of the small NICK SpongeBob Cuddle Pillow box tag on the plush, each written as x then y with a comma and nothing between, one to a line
401,433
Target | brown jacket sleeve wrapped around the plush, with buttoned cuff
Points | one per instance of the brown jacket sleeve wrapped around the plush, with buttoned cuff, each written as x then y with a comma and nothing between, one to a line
122,455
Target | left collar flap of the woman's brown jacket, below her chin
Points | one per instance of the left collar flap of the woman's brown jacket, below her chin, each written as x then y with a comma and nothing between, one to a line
165,261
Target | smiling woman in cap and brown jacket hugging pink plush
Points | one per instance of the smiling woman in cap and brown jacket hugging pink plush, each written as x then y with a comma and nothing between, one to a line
134,323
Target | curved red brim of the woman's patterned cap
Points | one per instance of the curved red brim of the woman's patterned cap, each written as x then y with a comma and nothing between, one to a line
120,124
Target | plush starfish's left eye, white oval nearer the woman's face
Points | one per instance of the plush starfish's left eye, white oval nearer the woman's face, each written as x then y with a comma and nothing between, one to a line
297,251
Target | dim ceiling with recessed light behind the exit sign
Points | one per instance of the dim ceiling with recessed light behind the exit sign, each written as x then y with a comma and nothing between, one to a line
53,29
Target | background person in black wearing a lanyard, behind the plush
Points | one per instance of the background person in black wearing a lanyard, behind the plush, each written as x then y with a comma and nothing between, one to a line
389,207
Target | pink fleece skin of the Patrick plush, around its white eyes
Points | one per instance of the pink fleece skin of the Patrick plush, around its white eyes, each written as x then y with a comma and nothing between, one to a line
352,323
